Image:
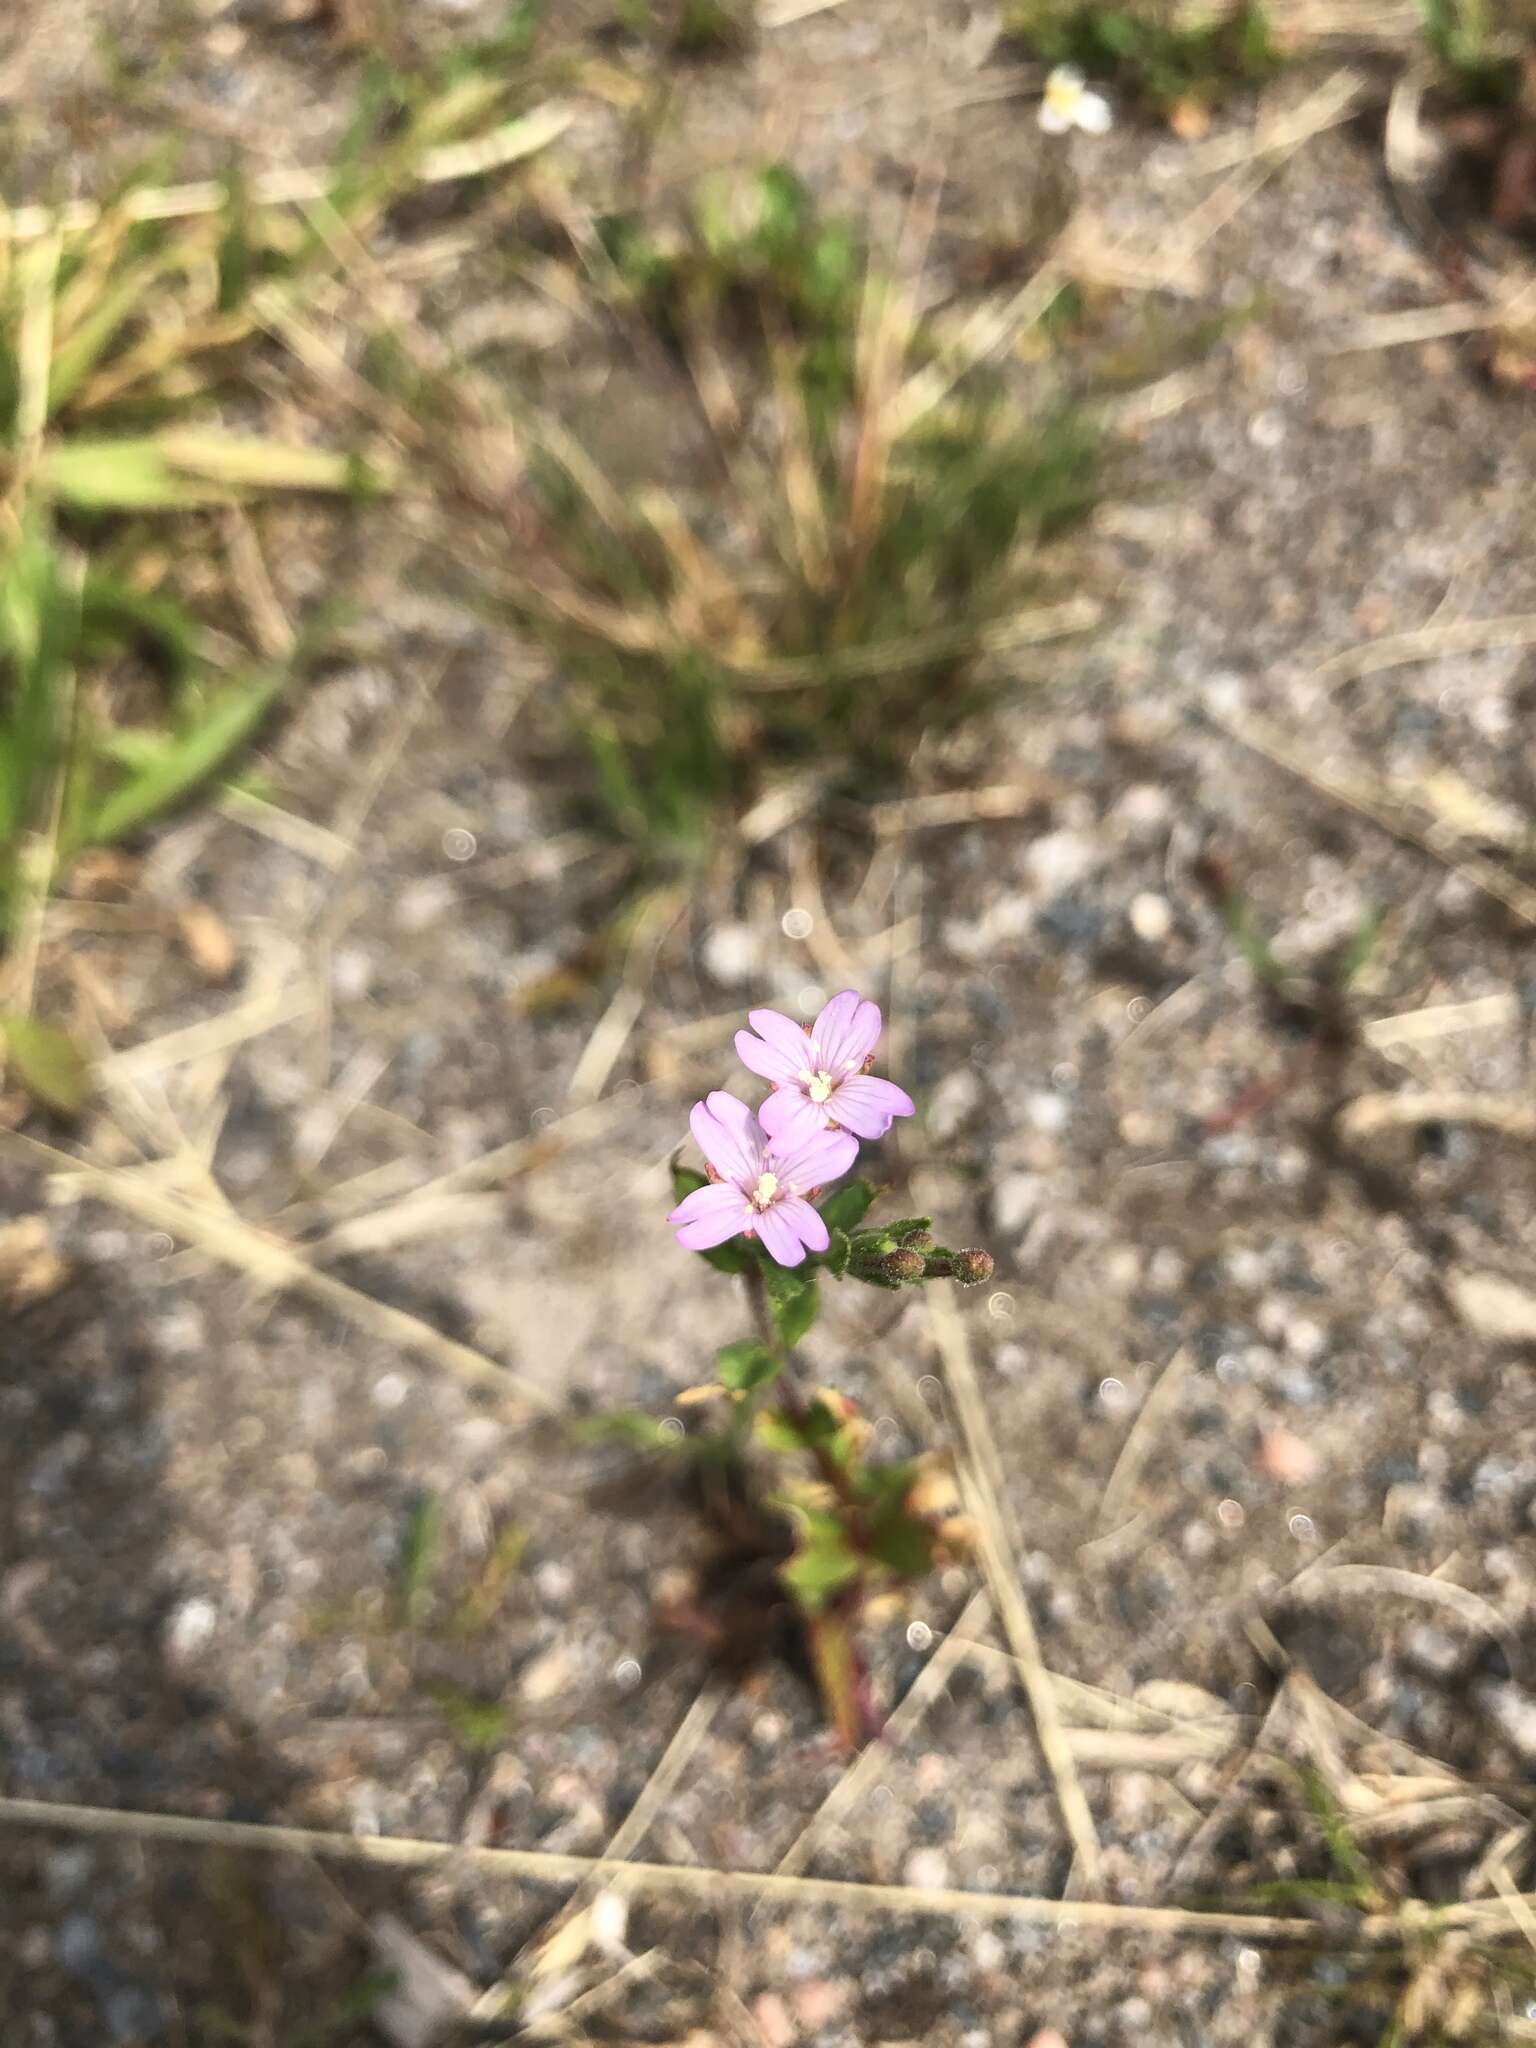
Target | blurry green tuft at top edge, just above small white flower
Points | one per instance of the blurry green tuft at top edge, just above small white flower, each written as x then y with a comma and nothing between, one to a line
1160,54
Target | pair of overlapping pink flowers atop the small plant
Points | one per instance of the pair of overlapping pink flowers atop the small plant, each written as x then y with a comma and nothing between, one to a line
767,1170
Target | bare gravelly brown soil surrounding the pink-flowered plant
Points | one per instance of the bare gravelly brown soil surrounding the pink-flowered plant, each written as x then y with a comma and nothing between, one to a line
208,1488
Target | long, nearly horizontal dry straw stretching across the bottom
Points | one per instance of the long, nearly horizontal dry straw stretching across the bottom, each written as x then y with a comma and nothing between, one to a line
548,1867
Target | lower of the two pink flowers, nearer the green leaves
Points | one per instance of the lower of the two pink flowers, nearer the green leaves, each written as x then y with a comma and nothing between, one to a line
763,1183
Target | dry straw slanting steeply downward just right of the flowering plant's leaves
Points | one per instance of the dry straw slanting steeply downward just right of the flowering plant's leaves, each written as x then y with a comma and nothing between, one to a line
980,1486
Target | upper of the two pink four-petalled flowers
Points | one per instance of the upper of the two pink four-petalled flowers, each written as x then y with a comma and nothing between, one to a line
820,1076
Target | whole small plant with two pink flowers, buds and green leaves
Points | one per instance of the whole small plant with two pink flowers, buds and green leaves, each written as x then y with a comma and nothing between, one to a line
835,1525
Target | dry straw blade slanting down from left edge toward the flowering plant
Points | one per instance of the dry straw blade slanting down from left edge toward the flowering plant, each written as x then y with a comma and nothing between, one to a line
273,1265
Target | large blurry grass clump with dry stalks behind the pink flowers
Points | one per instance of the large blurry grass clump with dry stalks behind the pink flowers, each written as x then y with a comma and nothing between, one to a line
828,595
